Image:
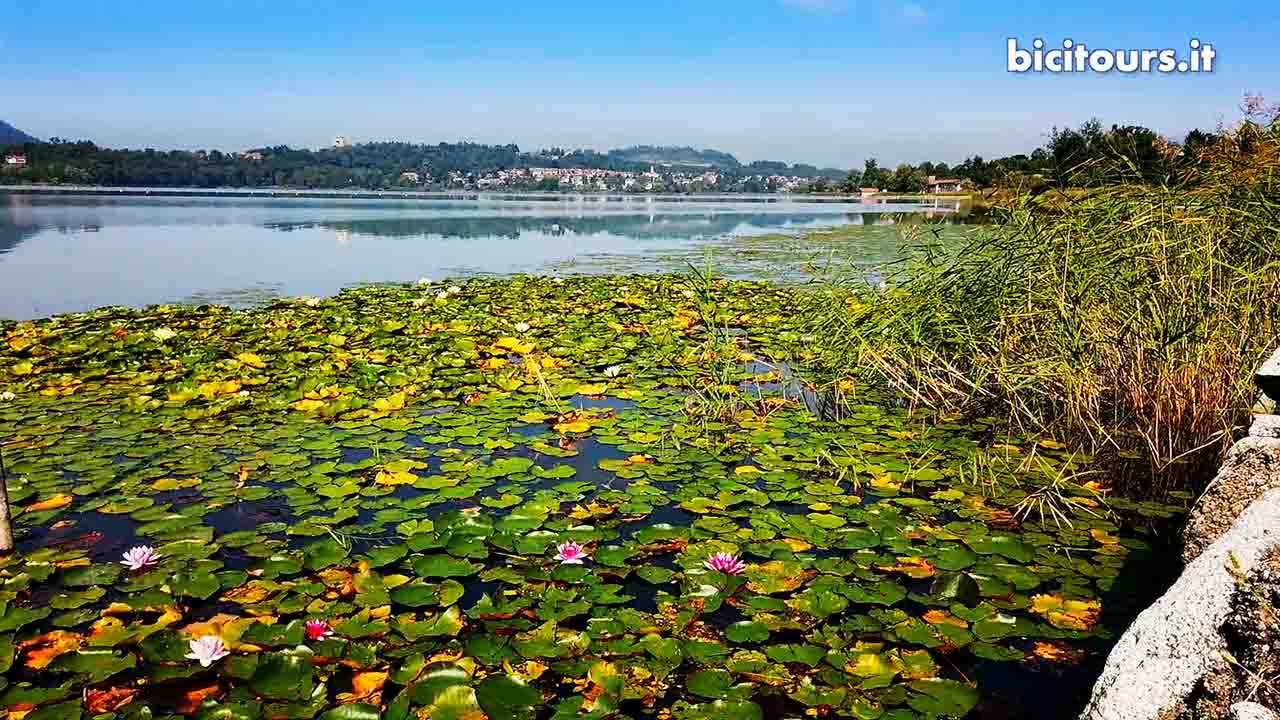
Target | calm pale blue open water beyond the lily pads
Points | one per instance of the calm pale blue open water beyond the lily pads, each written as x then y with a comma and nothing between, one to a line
71,253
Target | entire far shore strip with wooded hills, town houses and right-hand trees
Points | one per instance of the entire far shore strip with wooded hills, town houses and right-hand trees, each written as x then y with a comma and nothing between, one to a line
1071,157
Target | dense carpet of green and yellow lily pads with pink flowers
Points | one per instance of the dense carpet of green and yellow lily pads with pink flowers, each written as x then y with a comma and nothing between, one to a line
368,503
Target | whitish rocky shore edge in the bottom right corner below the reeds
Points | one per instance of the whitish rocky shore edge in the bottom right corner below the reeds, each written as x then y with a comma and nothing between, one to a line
1210,648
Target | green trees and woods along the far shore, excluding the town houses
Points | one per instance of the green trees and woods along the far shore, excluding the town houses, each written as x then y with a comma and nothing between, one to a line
1080,157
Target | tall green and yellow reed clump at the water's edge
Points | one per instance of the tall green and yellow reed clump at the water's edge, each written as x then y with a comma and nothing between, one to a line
1126,320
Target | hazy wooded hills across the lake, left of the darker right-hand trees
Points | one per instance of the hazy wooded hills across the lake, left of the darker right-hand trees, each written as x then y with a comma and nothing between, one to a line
376,166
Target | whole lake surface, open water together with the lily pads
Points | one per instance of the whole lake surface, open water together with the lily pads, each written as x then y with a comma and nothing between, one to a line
552,489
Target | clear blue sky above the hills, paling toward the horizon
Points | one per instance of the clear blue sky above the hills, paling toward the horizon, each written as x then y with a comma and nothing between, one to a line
829,83
